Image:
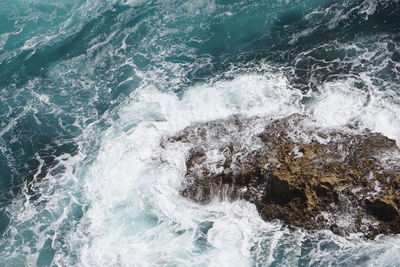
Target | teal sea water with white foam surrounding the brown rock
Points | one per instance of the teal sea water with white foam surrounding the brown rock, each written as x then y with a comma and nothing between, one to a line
88,88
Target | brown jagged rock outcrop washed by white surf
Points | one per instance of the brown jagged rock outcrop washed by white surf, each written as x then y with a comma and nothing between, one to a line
345,180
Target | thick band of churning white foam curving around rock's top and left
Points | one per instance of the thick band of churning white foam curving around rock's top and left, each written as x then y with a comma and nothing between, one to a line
138,218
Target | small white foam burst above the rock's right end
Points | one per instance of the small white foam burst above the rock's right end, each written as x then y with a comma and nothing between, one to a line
340,103
